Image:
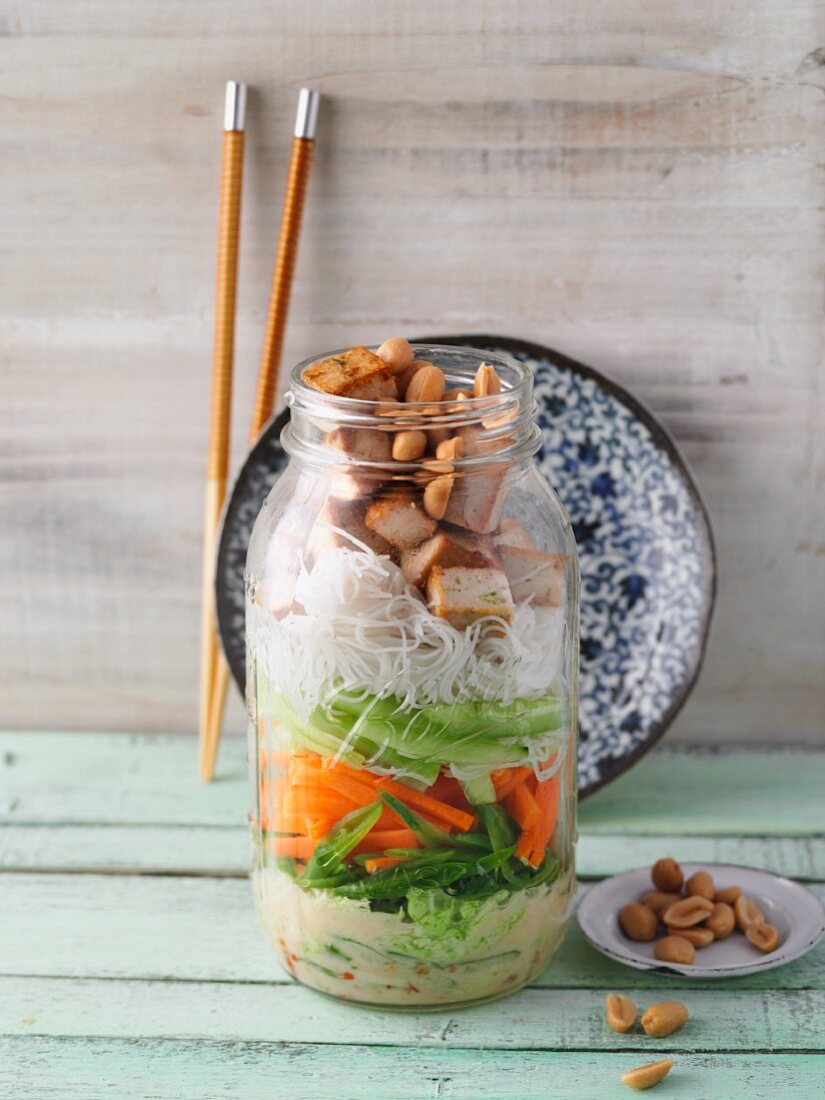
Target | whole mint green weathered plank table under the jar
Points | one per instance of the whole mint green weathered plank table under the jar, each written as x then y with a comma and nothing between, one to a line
133,964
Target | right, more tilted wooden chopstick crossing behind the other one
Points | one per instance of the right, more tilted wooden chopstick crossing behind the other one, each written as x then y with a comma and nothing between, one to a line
268,377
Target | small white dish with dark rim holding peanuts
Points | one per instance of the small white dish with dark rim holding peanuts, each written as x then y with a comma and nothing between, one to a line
797,915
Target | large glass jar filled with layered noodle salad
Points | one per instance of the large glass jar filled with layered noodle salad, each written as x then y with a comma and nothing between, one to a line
412,635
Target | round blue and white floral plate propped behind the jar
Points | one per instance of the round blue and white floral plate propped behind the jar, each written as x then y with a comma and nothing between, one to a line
645,547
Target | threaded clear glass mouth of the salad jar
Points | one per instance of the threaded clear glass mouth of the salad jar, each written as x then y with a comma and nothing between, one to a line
508,419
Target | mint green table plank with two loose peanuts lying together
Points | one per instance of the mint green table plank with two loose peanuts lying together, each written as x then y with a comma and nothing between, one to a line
534,1020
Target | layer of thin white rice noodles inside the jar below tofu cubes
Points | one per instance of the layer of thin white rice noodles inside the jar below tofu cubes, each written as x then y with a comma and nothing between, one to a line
358,625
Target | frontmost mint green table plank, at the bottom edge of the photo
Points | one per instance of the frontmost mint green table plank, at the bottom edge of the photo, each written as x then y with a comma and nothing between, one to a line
98,1070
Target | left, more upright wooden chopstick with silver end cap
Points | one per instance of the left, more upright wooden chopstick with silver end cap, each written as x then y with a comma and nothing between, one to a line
222,394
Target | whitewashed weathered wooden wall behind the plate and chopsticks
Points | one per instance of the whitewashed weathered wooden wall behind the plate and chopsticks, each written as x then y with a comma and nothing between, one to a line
633,182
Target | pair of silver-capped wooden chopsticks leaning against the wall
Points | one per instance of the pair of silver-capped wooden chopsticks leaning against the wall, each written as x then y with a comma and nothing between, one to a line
214,669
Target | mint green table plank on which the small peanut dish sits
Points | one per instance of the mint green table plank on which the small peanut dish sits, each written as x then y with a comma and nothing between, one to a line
167,928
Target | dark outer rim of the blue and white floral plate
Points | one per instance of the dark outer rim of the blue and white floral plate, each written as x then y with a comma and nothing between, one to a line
614,766
